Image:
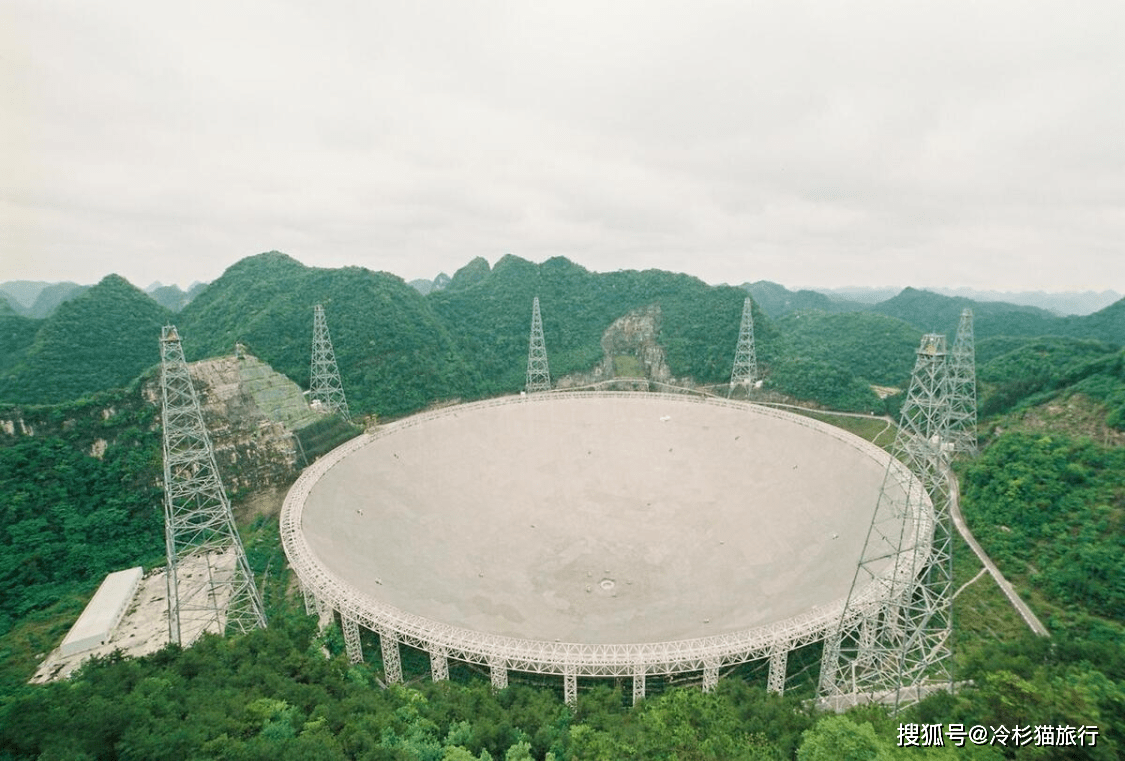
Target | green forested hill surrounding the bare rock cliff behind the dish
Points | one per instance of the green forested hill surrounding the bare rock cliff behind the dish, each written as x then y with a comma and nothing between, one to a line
490,315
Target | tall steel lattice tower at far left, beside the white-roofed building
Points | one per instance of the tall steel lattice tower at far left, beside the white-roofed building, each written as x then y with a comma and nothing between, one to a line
210,583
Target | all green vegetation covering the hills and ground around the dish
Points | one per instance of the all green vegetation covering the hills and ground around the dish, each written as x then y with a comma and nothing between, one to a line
79,497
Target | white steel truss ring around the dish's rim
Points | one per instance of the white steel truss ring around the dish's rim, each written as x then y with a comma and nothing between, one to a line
572,660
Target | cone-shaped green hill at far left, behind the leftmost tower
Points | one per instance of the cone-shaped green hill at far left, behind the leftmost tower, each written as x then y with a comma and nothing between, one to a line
103,339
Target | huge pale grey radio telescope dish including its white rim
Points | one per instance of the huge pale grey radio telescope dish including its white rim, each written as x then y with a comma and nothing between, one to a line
597,534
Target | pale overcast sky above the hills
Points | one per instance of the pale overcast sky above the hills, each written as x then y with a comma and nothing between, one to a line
942,144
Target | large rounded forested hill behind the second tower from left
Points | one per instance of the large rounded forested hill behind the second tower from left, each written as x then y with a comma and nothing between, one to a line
394,355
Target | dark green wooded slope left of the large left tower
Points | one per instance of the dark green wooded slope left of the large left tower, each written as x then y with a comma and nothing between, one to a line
80,499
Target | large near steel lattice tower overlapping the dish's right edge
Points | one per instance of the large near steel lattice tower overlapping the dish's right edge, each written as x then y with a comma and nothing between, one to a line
903,639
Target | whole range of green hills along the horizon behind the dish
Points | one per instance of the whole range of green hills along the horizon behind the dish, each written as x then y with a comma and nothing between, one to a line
401,351
